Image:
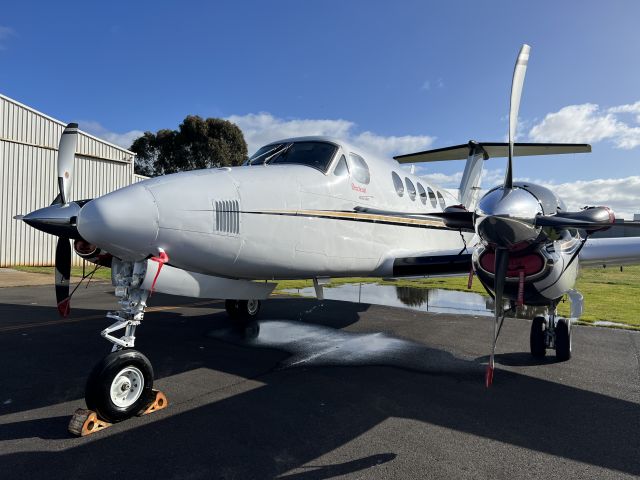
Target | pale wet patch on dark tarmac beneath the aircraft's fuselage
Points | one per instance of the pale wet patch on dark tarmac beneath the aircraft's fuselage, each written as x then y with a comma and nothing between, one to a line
318,345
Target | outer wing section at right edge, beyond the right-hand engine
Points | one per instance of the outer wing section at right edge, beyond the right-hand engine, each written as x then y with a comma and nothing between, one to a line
610,252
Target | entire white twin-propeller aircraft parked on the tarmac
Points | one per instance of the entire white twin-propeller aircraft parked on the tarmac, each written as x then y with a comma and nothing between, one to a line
315,207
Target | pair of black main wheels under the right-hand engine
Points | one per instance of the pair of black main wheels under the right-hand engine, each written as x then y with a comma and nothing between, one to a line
550,332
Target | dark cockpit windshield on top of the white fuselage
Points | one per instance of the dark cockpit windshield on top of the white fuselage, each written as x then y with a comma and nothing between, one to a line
314,154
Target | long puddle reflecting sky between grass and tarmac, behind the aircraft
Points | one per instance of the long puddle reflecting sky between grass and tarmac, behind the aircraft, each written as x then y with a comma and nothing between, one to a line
433,300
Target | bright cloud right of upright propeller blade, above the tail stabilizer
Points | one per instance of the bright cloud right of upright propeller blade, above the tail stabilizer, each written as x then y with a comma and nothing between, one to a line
589,124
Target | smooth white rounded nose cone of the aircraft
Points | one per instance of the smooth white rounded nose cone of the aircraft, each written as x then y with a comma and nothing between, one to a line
124,222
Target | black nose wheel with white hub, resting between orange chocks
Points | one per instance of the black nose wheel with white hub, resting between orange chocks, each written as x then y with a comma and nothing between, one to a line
120,385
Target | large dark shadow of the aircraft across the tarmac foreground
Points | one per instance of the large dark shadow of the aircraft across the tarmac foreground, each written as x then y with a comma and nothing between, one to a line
305,407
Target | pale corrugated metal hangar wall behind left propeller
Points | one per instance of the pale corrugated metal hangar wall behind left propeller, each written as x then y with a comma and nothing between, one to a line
28,149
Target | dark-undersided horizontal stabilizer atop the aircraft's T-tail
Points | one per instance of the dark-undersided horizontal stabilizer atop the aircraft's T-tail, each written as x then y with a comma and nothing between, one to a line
492,150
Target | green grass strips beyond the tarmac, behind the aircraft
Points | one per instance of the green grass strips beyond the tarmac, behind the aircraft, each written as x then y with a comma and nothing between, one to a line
609,294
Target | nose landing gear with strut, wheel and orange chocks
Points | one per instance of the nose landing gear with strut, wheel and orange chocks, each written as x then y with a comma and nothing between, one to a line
121,384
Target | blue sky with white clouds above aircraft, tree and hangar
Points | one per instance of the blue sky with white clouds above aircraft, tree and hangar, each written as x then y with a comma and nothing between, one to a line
393,75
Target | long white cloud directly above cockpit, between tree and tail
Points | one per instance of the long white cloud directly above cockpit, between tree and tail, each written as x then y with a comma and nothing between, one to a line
262,128
